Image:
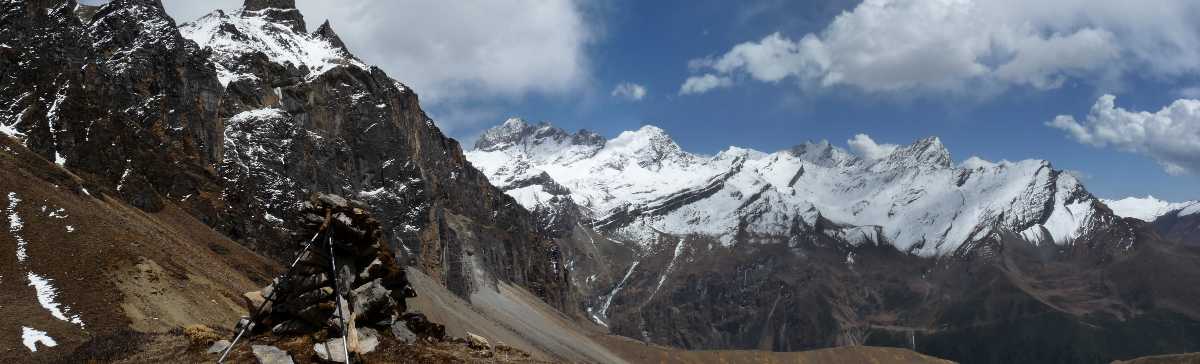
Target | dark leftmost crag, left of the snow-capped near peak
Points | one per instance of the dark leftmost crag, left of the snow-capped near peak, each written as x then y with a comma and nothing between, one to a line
123,100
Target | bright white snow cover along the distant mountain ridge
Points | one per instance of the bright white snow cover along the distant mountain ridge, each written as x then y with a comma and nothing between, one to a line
518,152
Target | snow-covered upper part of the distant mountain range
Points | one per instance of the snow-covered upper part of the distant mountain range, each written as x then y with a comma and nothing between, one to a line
641,183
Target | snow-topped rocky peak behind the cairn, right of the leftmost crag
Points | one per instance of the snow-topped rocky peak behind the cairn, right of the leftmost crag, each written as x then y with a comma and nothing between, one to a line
316,120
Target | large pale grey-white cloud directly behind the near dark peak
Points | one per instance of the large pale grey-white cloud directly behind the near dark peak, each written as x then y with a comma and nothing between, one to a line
455,51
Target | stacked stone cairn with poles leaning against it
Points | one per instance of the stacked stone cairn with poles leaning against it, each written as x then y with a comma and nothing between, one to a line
373,285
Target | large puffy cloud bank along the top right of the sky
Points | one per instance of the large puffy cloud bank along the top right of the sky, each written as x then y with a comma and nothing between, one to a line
962,45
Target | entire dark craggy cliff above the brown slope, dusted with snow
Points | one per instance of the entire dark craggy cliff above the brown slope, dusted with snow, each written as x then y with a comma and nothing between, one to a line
142,114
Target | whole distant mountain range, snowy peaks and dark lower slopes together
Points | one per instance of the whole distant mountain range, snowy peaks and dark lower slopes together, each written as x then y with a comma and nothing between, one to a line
814,247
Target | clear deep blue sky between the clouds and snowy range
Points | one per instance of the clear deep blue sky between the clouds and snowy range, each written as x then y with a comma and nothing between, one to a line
651,43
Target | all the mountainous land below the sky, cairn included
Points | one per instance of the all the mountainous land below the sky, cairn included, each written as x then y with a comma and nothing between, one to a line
170,184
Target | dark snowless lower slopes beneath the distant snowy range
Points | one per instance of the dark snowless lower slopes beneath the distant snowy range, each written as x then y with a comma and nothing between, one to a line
1005,301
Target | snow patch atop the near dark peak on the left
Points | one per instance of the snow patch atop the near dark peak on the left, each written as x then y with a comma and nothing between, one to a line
277,33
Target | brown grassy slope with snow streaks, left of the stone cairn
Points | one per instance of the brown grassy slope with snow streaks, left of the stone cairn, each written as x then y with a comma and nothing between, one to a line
119,270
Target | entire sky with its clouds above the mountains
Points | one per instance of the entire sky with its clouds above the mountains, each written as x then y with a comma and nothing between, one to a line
987,76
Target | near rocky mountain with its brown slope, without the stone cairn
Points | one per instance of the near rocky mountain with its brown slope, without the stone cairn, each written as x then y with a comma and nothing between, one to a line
158,171
